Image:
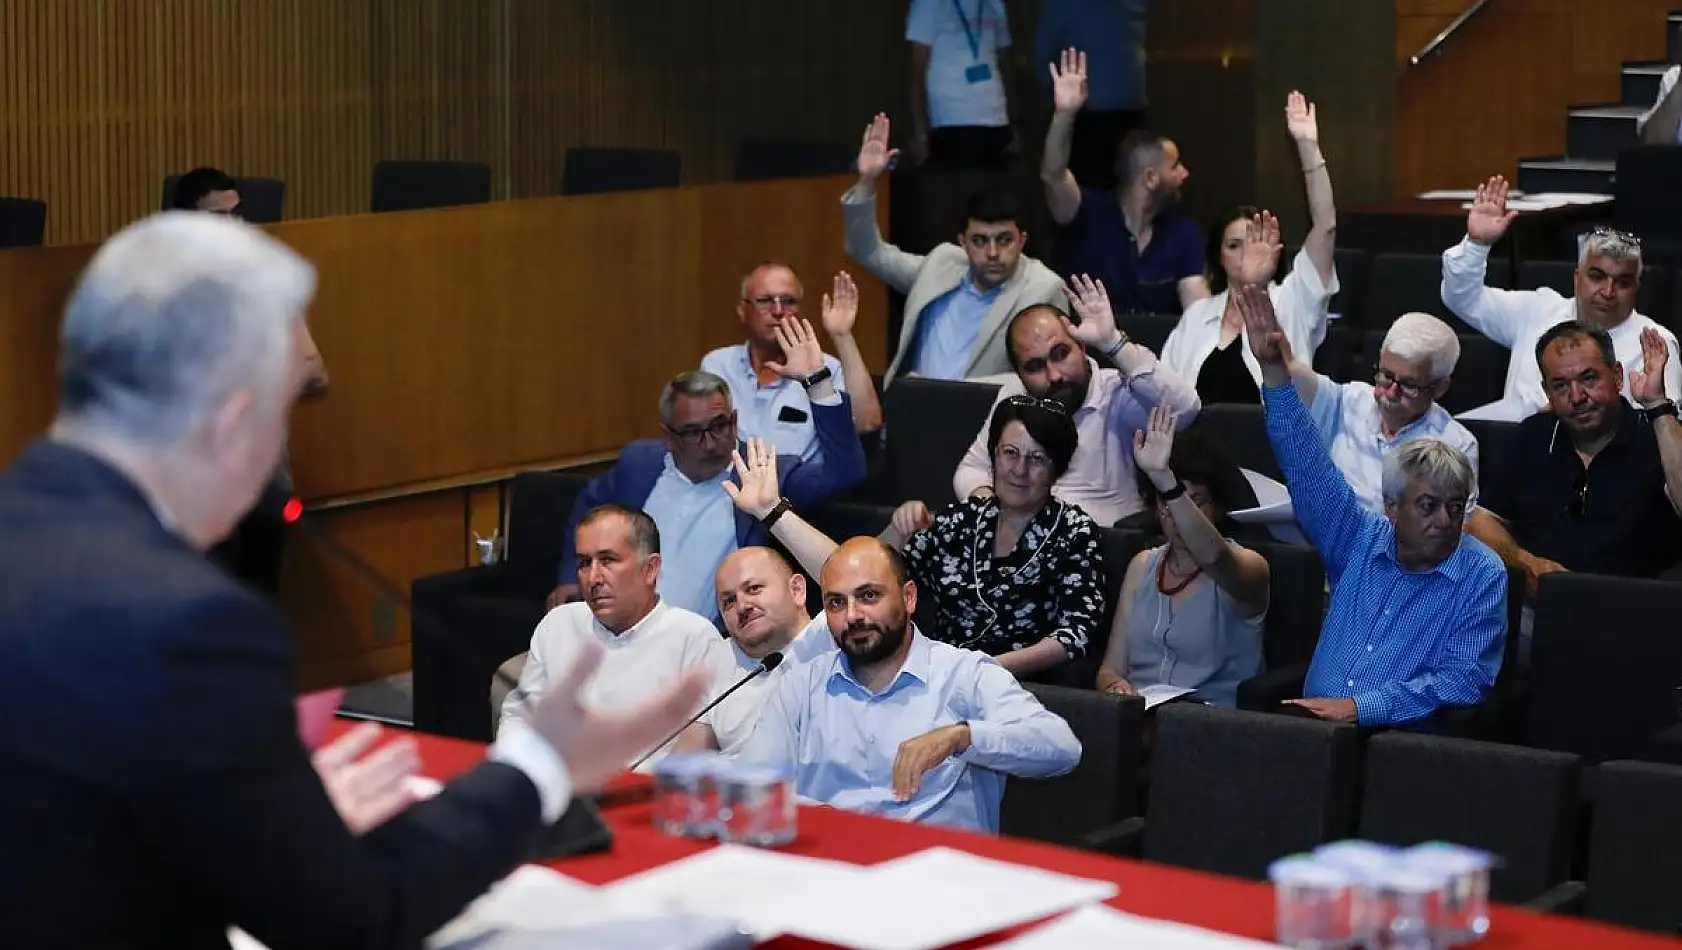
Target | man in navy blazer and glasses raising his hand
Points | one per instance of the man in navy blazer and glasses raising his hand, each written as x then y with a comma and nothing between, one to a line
679,480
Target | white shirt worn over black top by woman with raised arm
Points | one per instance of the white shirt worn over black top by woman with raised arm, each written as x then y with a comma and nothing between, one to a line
1303,303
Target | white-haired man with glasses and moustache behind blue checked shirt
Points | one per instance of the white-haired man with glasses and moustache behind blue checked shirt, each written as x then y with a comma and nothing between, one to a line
1363,423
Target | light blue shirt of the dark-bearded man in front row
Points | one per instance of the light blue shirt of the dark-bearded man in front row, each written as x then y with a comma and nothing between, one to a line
842,741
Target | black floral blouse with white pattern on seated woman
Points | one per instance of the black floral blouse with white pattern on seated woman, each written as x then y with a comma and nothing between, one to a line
1052,586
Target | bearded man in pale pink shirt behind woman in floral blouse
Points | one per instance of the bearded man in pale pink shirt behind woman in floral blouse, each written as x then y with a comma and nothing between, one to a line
1108,406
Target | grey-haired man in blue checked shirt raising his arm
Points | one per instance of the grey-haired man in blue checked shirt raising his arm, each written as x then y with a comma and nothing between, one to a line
1419,611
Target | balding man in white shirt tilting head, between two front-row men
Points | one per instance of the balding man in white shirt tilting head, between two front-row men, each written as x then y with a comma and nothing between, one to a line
764,608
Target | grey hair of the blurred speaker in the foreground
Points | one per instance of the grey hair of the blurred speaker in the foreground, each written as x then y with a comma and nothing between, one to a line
174,315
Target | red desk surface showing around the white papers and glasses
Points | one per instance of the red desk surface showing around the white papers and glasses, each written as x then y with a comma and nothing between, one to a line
1153,890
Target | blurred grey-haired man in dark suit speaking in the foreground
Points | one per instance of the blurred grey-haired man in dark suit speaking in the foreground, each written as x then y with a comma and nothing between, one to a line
157,789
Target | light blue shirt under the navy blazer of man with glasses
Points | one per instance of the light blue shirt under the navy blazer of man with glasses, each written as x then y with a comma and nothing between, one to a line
699,520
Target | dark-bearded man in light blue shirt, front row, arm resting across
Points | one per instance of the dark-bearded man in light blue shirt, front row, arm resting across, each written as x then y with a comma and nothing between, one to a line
899,726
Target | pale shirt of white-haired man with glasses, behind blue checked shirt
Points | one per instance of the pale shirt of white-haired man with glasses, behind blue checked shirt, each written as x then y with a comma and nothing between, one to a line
1348,421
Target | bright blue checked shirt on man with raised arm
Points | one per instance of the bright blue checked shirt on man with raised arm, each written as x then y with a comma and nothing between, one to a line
1399,643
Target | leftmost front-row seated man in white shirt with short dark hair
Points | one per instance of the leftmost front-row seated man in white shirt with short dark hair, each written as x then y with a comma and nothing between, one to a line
648,645
